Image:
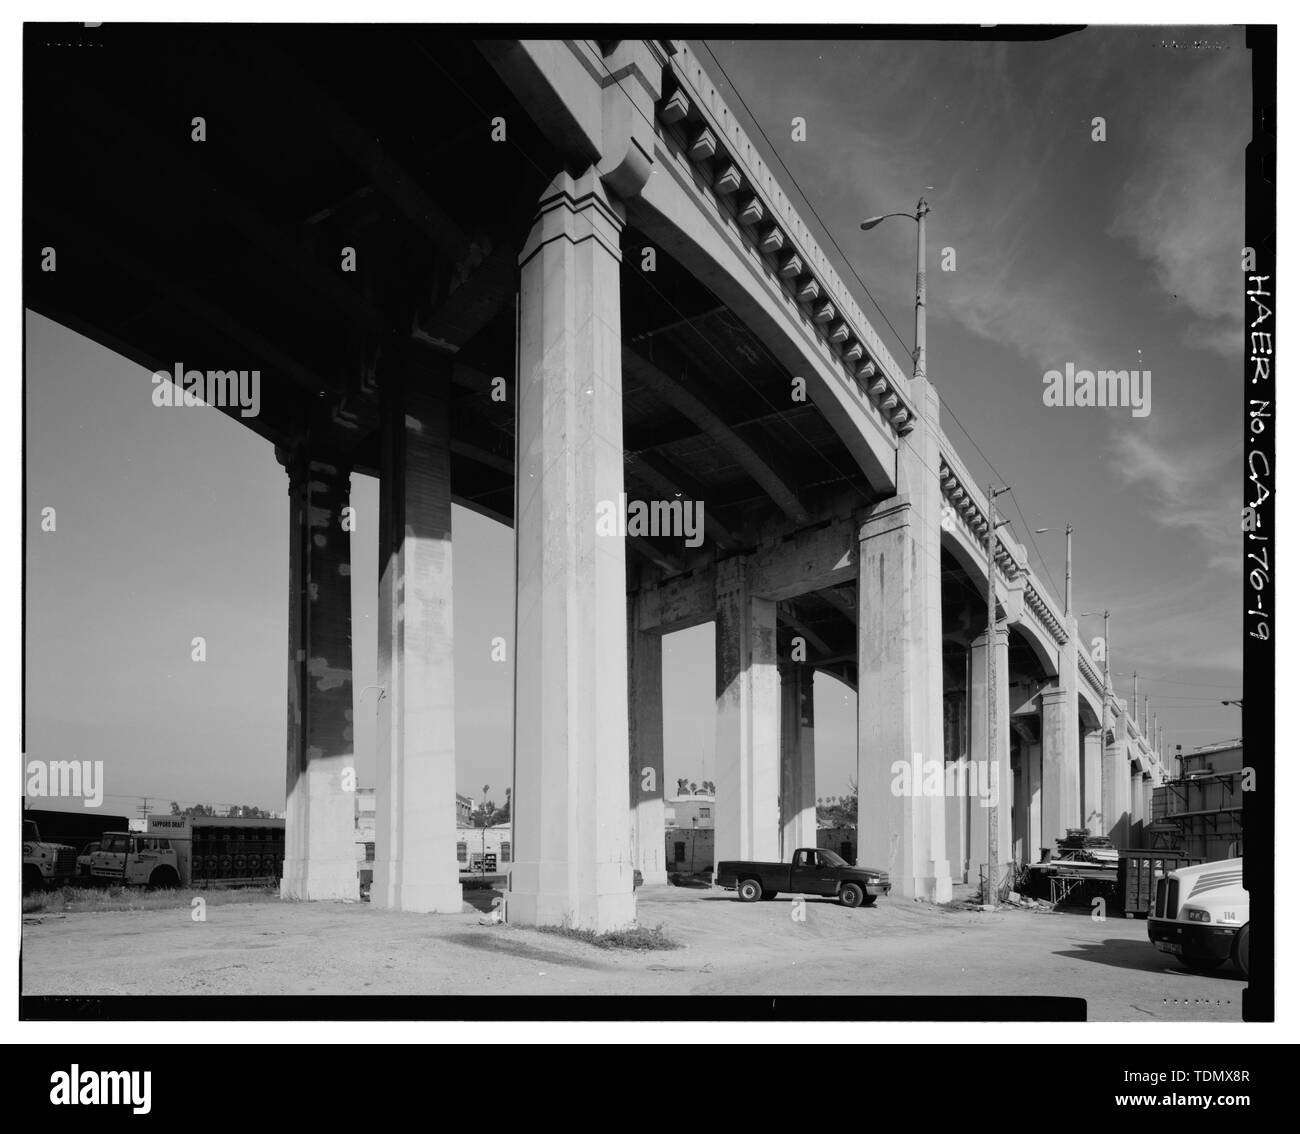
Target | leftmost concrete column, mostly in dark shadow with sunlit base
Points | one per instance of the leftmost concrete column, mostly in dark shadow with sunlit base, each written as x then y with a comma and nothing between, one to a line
320,810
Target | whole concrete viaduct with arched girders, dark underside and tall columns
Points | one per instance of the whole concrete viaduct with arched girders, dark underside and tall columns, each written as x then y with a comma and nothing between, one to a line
586,227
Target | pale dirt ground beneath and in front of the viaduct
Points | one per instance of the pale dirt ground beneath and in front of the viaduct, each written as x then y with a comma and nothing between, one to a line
899,947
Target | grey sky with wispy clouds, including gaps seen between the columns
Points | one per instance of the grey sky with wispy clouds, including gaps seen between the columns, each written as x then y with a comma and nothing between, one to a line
174,523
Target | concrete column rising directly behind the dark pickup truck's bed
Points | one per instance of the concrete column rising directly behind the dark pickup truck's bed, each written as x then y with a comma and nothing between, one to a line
748,751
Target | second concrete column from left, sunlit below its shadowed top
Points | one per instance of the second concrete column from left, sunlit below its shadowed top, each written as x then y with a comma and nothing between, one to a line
415,787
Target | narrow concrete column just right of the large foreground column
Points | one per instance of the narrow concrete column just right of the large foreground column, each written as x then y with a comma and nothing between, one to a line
645,750
